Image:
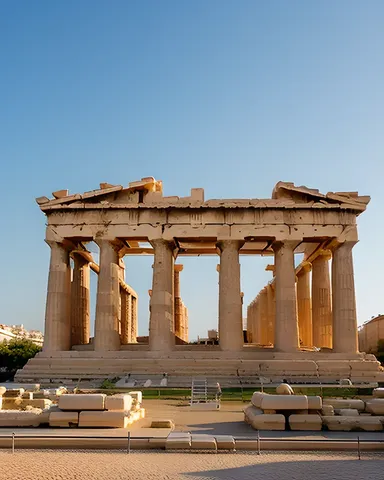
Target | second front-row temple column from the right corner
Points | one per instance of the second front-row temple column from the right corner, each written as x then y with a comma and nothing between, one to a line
286,327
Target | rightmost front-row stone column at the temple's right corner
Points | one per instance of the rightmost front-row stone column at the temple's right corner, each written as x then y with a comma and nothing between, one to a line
343,300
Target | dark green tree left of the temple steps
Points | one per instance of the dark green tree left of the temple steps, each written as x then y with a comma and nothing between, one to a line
14,354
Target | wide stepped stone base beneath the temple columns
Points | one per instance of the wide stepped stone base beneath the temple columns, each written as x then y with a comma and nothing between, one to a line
252,366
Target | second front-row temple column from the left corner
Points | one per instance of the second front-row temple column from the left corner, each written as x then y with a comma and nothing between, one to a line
108,298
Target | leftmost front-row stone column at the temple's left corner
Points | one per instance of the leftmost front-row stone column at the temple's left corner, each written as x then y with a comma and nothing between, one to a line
57,335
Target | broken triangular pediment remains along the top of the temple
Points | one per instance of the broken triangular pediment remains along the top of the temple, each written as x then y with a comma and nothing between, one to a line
148,193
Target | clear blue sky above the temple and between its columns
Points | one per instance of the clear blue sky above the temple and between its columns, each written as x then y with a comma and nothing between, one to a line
228,96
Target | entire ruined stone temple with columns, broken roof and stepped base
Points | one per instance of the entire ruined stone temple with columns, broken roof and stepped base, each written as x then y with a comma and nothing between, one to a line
302,325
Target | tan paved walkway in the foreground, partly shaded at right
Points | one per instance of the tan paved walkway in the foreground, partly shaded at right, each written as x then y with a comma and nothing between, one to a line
69,465
